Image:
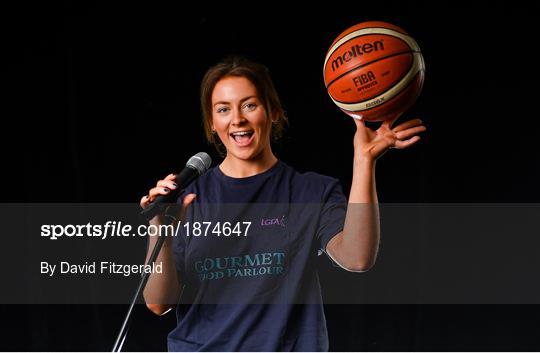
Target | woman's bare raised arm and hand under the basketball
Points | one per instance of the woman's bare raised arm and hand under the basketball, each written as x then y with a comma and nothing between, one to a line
355,248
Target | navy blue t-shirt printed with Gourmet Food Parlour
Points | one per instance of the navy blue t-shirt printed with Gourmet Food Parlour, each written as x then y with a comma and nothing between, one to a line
247,261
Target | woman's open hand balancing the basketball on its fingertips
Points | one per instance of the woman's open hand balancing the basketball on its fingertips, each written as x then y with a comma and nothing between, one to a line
369,144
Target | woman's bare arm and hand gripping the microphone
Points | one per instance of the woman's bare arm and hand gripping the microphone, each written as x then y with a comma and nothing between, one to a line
162,289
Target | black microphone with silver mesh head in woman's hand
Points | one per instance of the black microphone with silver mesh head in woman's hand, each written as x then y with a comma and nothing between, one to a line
195,167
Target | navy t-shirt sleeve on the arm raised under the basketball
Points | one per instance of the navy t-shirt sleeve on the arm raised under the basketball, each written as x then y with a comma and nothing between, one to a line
332,216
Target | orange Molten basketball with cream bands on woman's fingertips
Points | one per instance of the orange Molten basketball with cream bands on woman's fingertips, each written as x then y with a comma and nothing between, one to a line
373,71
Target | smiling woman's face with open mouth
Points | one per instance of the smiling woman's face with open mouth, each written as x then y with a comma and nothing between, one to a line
239,118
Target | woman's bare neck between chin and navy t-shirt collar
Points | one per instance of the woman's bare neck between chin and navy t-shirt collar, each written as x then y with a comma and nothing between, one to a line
240,168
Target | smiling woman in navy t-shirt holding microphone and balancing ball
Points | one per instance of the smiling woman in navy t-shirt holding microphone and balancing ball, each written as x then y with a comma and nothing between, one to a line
260,291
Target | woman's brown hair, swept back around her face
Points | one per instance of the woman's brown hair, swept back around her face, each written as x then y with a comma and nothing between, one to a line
259,76
